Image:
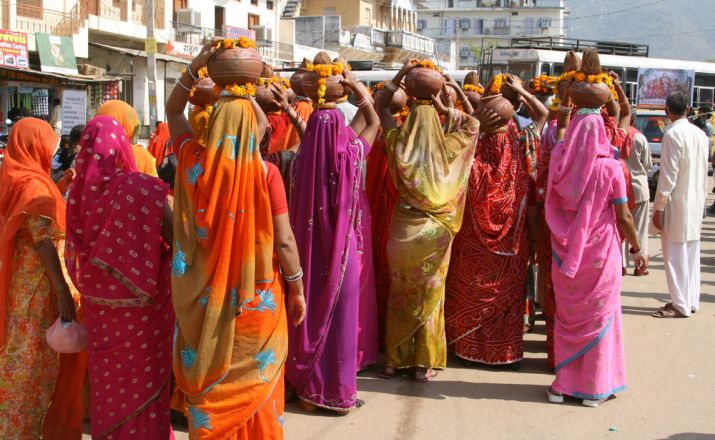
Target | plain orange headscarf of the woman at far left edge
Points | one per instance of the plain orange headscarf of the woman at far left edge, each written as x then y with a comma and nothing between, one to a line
25,188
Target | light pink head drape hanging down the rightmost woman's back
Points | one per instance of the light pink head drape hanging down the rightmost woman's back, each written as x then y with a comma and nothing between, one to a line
575,165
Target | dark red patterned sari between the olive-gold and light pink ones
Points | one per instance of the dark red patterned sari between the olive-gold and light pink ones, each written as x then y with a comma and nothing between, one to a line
484,304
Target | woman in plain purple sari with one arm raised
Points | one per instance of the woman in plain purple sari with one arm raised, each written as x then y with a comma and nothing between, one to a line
325,212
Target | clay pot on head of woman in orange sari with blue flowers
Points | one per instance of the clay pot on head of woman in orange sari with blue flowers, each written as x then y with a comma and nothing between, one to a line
235,66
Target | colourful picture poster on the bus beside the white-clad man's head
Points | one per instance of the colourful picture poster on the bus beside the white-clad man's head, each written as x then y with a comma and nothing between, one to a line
654,86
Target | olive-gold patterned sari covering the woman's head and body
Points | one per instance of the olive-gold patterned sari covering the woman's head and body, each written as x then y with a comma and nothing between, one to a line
430,170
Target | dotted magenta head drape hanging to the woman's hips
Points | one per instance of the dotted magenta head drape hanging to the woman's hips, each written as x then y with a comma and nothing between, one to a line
110,206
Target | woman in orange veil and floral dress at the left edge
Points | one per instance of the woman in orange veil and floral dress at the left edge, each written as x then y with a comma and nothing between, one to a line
33,290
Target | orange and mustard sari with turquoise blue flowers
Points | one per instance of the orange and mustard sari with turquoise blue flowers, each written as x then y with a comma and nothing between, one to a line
230,342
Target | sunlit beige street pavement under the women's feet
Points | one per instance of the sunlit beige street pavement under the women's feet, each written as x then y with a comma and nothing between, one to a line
670,394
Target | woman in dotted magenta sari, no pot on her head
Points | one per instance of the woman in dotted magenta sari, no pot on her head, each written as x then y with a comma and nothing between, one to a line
118,225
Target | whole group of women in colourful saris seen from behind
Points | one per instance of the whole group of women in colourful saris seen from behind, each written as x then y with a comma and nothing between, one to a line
289,247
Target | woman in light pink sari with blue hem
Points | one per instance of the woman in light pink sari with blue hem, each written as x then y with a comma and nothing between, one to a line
585,209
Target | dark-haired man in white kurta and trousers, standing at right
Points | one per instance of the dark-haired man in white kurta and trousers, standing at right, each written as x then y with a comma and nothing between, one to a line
679,205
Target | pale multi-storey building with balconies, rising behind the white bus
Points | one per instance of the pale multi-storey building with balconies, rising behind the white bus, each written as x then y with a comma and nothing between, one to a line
465,27
